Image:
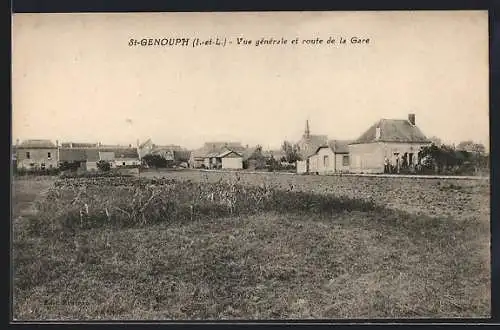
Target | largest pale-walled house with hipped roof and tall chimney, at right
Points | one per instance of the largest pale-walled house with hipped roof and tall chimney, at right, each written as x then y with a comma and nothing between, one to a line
388,143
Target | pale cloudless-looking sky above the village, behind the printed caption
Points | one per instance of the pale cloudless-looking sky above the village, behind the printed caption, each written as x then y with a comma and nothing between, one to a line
76,78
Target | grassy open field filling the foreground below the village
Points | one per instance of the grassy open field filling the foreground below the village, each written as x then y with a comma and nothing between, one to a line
197,245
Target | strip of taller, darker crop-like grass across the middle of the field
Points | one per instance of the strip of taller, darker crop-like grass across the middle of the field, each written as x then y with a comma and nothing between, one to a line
84,203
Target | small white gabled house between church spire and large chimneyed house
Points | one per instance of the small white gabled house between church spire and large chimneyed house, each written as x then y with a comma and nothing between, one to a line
330,158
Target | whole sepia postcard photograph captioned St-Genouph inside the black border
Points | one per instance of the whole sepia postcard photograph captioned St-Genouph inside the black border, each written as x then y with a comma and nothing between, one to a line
250,166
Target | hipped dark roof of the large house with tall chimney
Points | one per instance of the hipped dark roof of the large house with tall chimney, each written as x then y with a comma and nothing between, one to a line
393,130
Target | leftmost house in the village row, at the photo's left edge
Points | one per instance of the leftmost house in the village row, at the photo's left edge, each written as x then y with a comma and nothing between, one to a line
36,154
